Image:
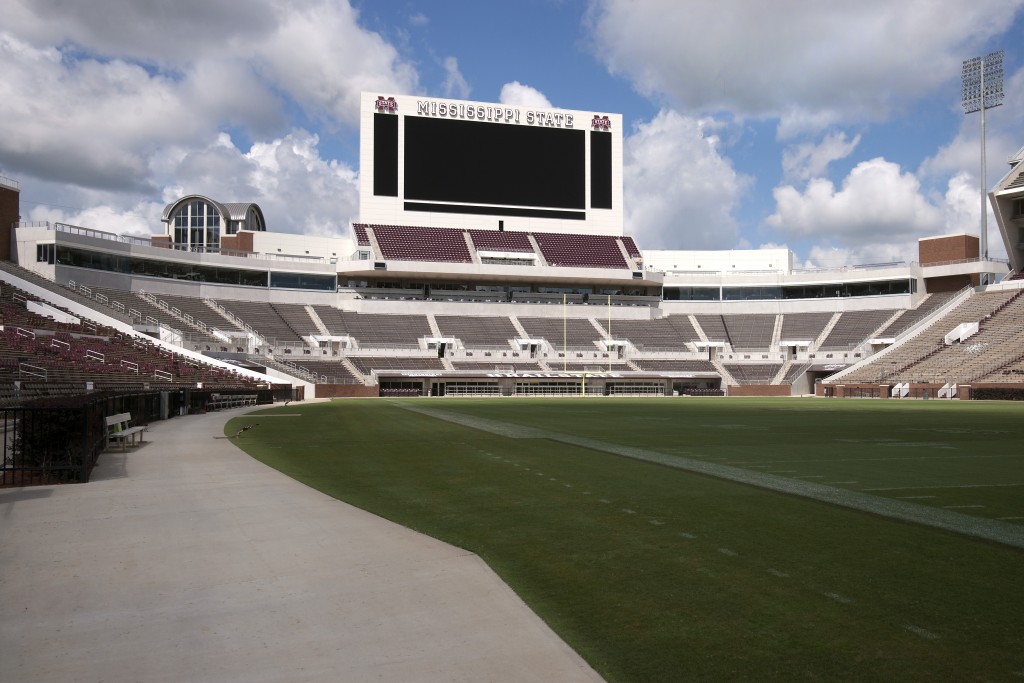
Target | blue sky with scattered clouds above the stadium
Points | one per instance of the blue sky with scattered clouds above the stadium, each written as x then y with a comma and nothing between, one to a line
834,130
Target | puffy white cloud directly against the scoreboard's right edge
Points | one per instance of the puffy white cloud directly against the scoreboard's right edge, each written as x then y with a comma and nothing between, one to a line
680,192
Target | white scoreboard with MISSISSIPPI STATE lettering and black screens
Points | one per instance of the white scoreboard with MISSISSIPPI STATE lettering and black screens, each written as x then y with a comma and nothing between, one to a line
452,163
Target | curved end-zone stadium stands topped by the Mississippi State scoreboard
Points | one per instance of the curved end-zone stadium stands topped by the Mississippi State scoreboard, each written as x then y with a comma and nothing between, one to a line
490,259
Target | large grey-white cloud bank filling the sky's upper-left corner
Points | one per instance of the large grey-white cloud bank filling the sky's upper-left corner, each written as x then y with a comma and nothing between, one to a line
106,94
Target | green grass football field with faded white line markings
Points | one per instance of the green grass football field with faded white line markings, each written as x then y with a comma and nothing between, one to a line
655,573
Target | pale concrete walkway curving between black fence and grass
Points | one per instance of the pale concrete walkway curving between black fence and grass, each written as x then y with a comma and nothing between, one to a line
187,561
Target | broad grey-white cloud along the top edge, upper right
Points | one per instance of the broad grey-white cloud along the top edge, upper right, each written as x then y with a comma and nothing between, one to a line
810,64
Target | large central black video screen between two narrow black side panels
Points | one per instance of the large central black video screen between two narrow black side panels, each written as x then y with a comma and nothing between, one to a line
476,162
